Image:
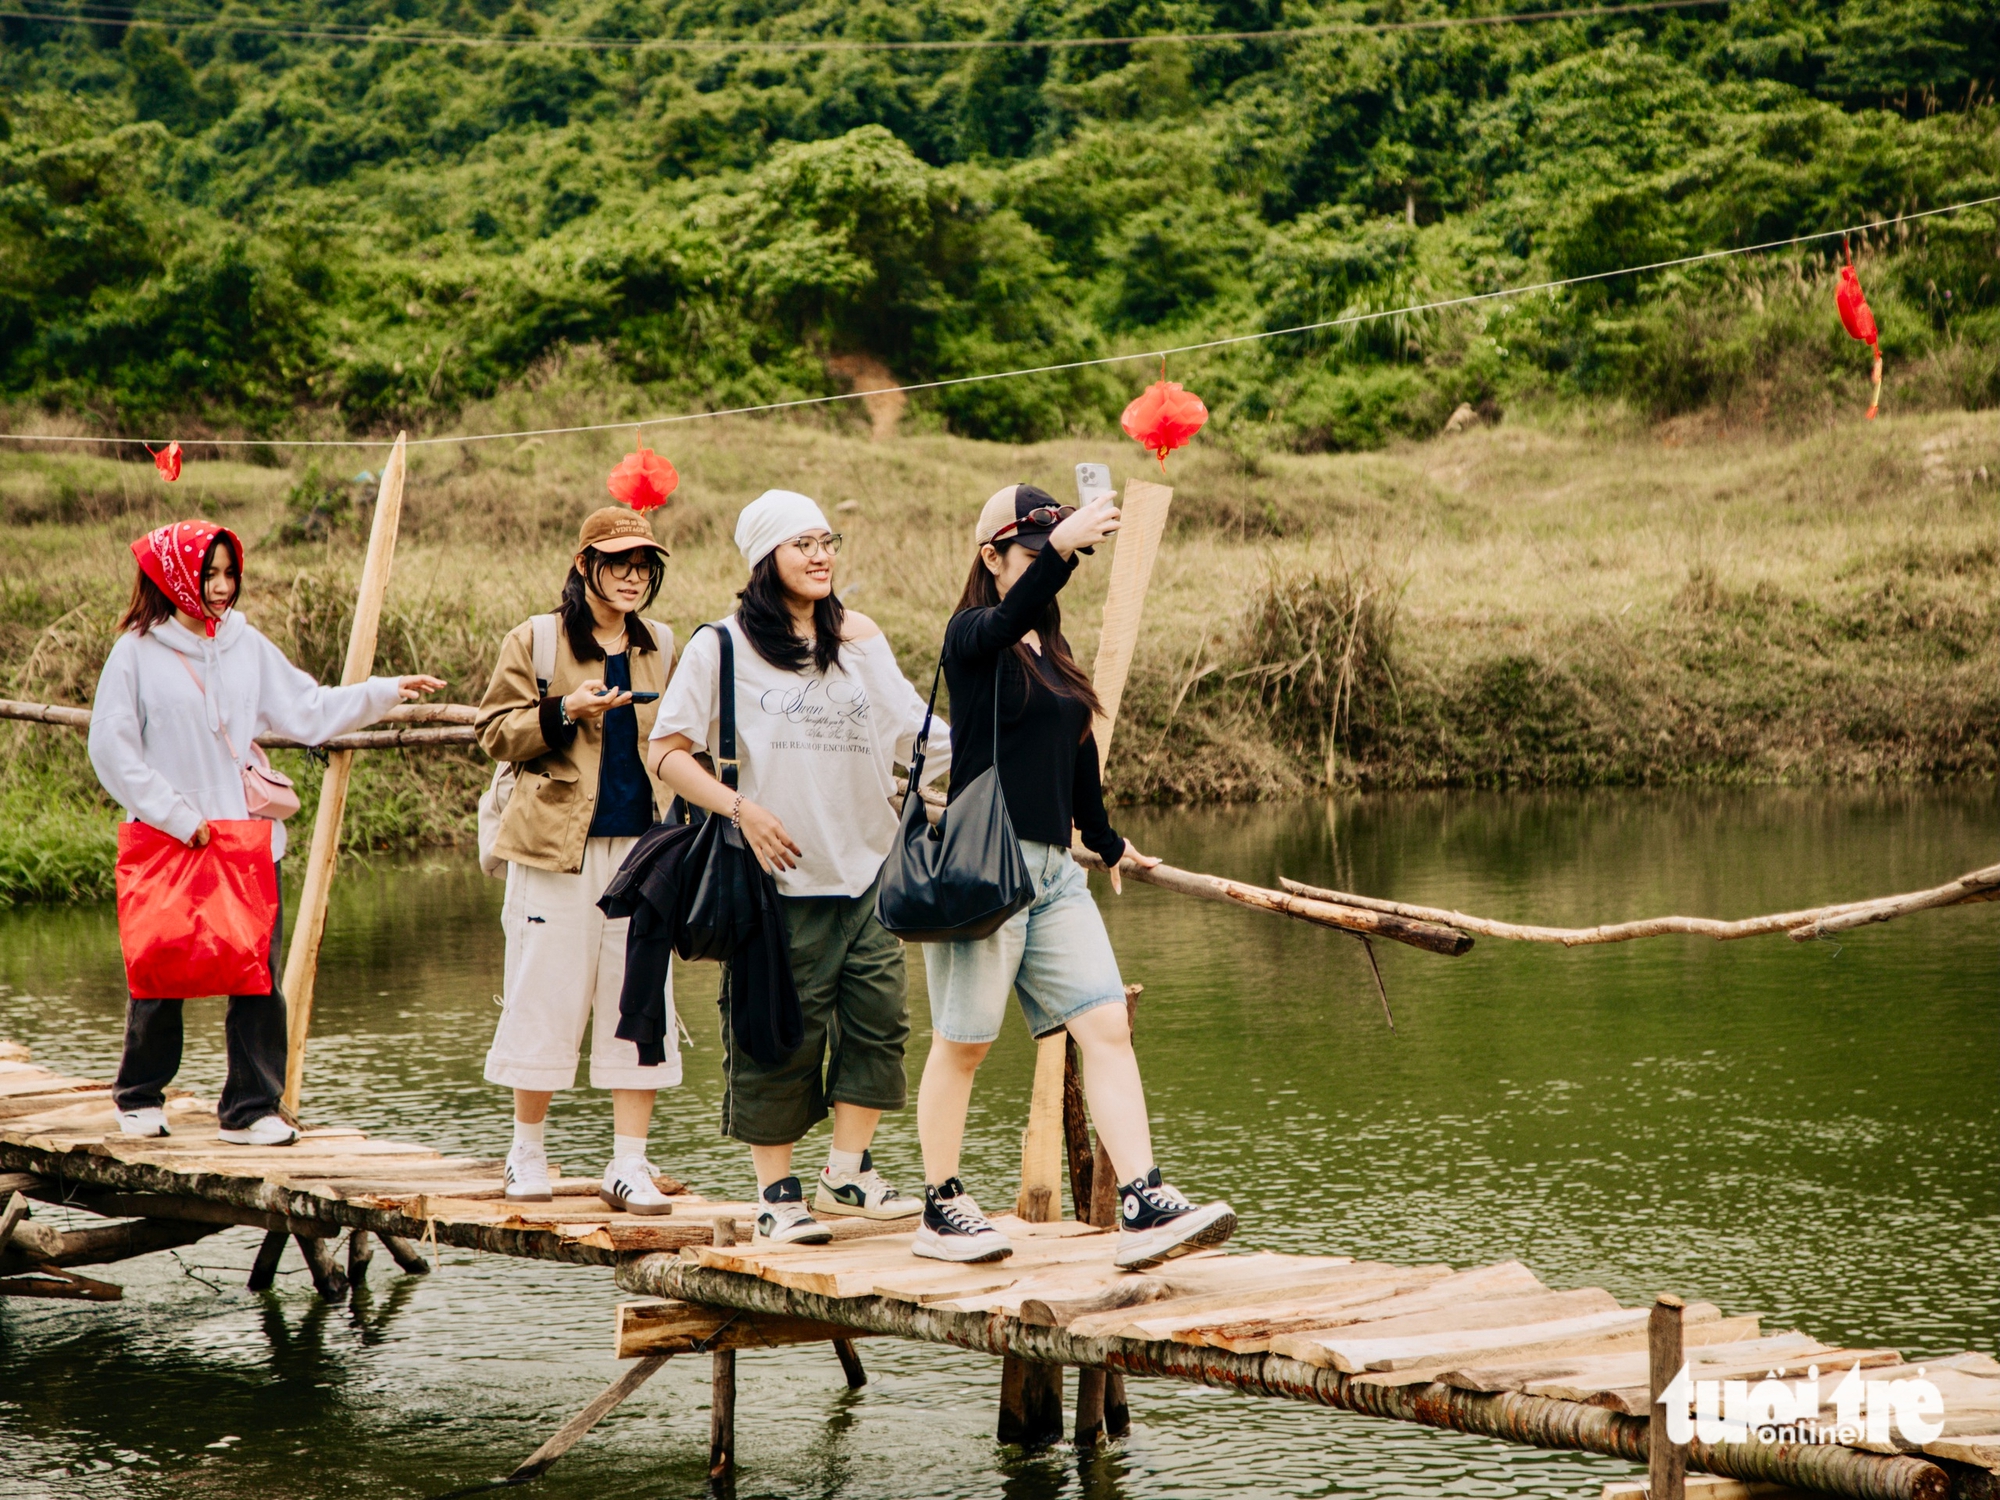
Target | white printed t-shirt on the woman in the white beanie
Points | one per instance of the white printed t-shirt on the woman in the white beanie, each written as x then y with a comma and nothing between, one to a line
815,749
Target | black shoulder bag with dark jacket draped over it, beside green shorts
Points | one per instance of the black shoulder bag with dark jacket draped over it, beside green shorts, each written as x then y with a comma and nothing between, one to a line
693,887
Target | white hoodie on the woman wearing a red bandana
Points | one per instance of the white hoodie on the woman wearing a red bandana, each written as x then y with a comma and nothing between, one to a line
157,729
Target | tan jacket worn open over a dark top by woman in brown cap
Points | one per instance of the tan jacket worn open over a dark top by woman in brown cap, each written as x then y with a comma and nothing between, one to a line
549,815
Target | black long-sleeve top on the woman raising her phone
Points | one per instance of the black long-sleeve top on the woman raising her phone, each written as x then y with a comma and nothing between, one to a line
1049,757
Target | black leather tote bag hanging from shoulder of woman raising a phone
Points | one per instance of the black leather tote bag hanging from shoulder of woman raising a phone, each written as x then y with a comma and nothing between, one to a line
967,877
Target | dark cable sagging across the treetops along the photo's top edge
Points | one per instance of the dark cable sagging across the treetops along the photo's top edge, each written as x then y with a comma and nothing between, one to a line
375,35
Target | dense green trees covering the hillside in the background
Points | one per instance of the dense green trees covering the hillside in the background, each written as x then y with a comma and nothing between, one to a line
215,223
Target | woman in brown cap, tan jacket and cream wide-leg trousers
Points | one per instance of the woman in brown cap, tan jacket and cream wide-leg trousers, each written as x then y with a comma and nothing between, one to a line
571,703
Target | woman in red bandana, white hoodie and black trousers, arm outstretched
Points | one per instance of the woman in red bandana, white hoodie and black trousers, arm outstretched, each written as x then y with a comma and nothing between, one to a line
185,693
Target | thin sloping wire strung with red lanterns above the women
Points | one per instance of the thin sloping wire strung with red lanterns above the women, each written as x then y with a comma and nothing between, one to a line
1347,321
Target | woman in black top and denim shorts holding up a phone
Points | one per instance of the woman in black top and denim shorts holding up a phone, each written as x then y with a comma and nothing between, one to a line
1005,655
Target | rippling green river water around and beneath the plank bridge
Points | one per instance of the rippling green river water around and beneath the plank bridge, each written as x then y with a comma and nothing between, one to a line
1811,1133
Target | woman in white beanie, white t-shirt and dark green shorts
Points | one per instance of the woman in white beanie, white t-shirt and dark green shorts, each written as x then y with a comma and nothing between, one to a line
823,717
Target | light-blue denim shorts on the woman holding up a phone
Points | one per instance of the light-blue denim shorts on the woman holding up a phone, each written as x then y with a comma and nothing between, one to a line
1055,955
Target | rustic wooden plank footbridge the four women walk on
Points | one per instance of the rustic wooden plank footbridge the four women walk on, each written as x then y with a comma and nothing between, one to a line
1489,1349
